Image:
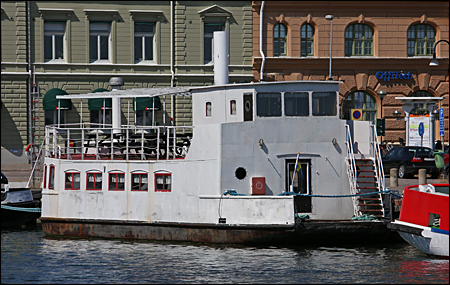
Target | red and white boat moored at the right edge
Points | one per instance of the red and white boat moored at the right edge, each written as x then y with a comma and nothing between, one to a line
424,218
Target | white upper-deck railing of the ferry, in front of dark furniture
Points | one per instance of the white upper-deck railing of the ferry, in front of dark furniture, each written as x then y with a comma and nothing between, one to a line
89,141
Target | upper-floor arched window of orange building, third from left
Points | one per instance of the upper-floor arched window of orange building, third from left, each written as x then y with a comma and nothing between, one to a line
358,40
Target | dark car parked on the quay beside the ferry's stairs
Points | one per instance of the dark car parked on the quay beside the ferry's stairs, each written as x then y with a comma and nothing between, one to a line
409,159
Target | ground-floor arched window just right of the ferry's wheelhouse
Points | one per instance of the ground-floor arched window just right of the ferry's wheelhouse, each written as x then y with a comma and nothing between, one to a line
360,100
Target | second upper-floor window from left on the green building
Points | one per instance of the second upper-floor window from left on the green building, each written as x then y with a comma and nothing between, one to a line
99,37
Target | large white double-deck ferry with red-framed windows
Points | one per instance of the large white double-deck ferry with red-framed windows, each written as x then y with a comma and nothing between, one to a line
228,178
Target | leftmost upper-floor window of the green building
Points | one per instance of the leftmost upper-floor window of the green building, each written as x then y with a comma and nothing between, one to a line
54,38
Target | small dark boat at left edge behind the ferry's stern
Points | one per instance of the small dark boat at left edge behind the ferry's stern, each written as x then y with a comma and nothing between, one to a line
18,206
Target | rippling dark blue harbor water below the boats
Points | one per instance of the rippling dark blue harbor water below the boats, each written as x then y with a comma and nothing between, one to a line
30,257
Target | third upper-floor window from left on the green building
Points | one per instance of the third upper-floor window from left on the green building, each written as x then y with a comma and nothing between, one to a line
144,40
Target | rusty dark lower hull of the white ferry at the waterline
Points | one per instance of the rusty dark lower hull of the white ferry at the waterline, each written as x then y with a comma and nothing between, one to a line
311,232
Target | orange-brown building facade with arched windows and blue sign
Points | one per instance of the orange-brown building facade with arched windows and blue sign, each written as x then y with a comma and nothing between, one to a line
376,46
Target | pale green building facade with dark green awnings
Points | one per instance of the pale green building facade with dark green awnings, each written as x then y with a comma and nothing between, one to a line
77,46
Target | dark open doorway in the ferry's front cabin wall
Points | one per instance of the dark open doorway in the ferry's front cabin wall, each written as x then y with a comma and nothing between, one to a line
301,184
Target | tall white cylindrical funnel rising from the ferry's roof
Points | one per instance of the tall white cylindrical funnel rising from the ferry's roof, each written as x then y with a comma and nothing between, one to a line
221,58
